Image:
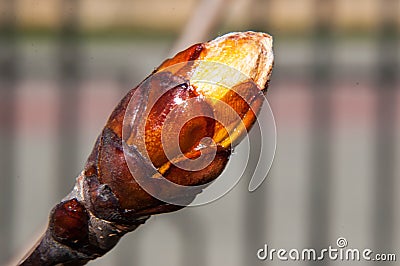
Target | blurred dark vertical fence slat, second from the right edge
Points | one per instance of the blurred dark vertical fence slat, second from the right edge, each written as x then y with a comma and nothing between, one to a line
321,138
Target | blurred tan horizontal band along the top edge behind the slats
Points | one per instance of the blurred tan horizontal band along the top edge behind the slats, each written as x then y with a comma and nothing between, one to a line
170,15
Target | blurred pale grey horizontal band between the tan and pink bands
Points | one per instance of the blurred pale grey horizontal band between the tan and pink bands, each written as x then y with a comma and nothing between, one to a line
108,59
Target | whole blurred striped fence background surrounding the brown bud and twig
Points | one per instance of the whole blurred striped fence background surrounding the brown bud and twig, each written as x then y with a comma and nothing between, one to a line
335,94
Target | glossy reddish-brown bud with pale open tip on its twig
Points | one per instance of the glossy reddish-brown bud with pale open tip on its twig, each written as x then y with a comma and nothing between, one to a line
109,199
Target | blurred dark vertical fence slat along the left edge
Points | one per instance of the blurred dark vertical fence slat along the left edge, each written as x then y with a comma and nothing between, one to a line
8,81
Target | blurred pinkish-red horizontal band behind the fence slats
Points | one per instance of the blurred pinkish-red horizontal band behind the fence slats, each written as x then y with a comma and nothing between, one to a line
353,105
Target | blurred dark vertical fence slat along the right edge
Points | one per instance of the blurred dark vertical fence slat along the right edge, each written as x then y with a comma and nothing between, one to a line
386,83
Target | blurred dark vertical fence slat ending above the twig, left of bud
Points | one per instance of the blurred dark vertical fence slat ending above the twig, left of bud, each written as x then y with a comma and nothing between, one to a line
69,82
